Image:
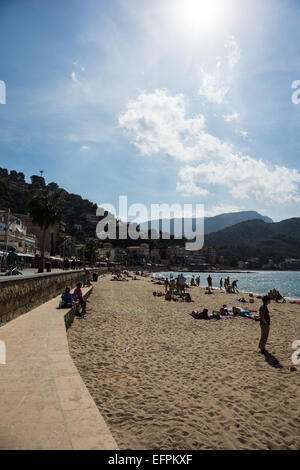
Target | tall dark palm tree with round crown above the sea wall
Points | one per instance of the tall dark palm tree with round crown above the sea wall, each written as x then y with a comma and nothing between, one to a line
44,211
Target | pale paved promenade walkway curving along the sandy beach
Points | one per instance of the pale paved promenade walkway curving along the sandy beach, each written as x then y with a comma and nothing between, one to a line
44,403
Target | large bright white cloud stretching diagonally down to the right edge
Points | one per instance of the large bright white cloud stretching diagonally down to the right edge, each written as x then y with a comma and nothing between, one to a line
157,123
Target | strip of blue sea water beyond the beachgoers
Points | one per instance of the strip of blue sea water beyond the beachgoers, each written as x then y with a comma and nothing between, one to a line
258,282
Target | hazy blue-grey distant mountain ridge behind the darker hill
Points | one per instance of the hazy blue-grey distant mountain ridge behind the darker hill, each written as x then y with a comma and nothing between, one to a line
211,224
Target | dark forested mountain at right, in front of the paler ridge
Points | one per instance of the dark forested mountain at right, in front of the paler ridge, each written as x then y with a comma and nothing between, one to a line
257,238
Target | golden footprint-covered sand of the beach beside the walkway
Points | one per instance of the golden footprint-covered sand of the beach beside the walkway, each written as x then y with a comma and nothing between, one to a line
185,383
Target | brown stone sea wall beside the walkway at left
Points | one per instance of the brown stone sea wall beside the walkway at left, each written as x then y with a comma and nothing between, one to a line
20,295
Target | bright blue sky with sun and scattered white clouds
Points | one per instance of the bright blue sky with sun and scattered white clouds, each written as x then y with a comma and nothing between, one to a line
175,101
